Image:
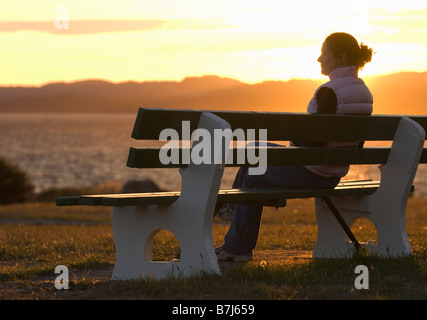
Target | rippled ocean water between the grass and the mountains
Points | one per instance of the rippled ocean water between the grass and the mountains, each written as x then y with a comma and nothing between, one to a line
63,150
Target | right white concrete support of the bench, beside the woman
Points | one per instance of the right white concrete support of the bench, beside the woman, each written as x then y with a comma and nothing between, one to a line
386,208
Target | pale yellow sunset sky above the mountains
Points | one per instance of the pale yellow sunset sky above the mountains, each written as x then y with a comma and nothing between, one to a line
248,40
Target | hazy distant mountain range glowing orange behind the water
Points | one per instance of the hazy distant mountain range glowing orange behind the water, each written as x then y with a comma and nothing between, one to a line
400,93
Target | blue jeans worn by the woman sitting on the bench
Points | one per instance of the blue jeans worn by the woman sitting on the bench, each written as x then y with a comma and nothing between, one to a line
242,235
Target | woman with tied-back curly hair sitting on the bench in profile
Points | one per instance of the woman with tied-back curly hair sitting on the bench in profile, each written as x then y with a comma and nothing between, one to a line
341,58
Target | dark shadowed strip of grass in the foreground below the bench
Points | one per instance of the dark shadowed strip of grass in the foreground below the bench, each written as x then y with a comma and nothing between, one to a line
395,278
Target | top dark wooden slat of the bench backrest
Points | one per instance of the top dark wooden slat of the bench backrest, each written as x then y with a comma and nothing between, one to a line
281,126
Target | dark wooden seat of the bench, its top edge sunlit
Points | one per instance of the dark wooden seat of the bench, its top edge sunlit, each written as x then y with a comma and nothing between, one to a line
266,196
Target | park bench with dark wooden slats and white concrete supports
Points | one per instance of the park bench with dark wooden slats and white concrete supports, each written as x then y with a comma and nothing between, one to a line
188,213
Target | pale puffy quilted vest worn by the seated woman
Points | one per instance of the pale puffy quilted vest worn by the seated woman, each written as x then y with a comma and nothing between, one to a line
353,97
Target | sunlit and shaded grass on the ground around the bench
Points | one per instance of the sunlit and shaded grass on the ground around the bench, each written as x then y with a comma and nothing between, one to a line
39,236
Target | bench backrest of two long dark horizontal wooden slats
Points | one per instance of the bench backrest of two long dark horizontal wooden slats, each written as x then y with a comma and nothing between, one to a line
280,127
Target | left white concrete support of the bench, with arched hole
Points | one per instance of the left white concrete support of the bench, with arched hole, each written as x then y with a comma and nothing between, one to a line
189,219
